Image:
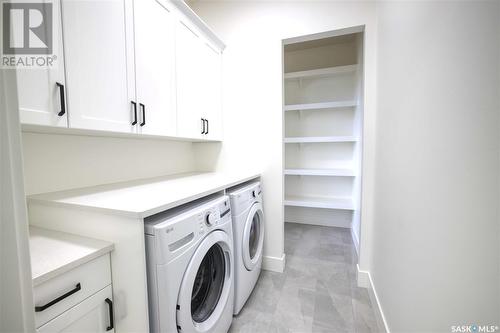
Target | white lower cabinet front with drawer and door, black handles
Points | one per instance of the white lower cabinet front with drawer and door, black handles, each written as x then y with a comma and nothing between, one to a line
79,300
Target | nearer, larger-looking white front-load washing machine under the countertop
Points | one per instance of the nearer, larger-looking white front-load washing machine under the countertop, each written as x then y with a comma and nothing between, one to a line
189,253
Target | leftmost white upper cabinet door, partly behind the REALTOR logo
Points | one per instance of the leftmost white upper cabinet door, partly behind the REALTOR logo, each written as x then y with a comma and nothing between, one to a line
38,93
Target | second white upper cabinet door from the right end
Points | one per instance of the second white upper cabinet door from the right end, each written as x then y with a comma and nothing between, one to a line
187,61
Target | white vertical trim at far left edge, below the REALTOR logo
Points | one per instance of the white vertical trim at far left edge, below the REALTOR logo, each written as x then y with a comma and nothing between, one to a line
16,288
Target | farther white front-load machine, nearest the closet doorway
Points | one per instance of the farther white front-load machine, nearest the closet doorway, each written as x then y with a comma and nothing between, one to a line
248,235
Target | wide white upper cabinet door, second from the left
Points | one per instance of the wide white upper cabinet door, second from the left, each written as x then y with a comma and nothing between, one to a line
99,73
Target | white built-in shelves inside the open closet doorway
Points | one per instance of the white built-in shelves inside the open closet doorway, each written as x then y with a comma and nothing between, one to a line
322,170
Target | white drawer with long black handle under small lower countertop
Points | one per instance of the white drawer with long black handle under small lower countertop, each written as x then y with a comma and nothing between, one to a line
66,290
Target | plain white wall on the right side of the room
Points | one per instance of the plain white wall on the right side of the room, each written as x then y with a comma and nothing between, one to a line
436,237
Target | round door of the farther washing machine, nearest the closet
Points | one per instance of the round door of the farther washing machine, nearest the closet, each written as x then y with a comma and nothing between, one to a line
253,237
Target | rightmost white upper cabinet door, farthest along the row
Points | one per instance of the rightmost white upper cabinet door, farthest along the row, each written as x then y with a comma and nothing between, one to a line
212,91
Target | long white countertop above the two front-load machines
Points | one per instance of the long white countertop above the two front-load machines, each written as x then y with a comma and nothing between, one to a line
142,198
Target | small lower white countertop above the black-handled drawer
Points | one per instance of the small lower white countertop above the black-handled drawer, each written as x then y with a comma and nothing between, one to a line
54,252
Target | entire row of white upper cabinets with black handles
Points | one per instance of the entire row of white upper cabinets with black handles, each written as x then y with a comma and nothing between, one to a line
130,66
